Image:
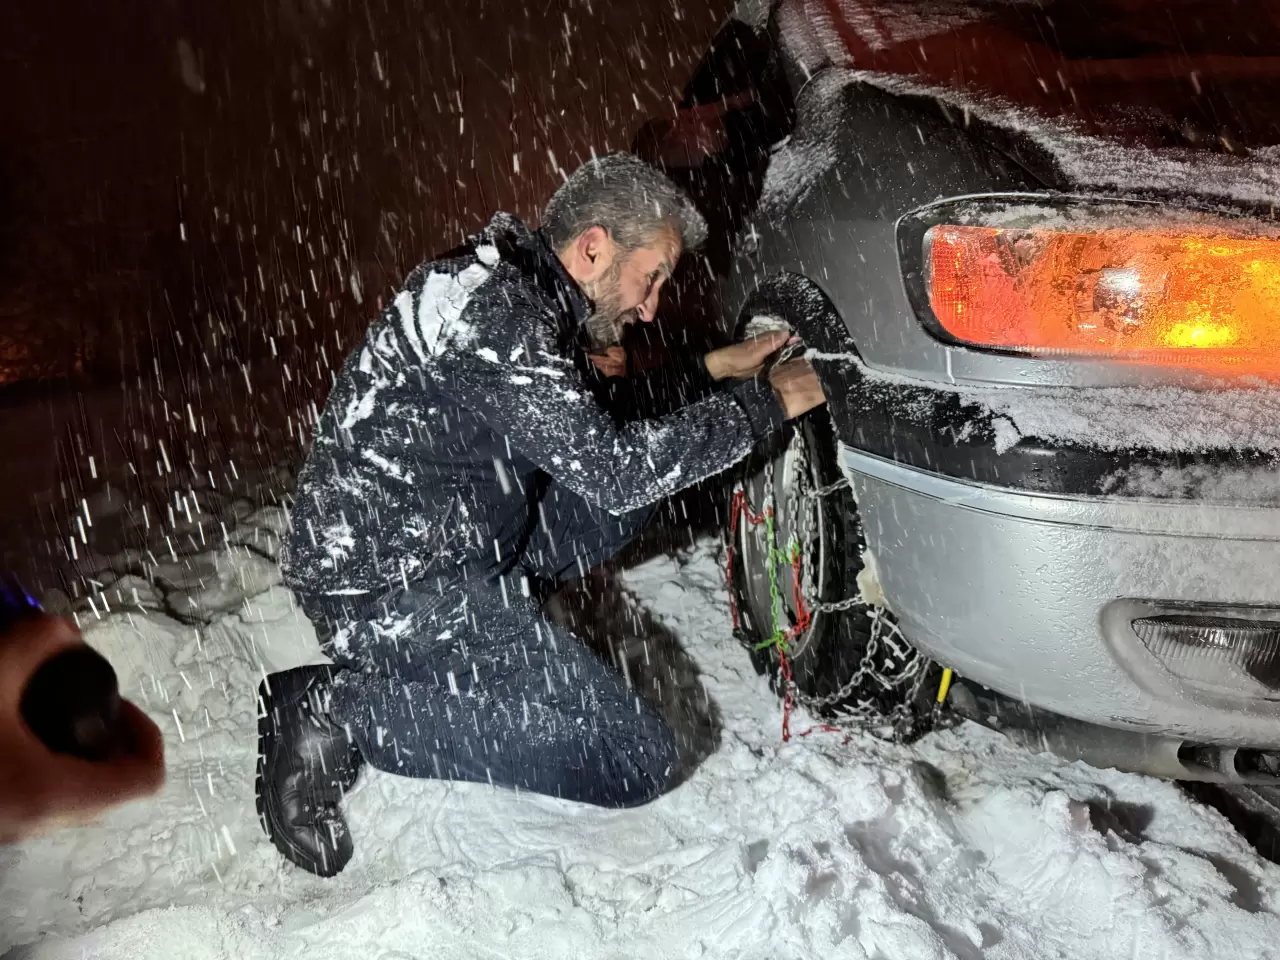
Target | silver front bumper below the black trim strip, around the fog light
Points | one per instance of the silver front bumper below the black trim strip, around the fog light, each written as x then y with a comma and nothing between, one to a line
1020,591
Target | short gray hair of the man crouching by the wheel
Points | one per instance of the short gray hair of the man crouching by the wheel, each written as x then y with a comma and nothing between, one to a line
629,199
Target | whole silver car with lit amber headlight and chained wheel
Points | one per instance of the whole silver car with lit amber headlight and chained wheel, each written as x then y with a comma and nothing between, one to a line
1032,254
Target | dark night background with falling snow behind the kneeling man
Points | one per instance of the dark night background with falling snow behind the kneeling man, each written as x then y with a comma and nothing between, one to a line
202,204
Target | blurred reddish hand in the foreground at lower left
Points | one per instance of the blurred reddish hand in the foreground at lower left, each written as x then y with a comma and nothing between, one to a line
40,789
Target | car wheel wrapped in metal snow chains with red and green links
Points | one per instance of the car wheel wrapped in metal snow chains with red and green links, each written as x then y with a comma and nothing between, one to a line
807,602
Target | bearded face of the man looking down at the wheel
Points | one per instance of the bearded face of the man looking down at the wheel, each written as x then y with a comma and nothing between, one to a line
630,286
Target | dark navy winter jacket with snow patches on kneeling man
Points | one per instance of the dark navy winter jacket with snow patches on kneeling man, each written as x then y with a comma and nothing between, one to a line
469,395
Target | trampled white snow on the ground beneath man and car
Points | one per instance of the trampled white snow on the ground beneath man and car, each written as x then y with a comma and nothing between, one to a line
961,845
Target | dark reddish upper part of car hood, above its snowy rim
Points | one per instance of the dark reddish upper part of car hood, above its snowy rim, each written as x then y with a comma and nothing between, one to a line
1201,74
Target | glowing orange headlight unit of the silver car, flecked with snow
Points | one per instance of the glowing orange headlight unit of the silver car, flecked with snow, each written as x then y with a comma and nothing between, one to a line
1130,282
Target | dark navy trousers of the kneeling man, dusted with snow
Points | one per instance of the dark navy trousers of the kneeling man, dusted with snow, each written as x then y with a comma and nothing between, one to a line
464,679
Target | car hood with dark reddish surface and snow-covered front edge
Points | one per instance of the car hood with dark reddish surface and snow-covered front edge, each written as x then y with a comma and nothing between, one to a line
1127,111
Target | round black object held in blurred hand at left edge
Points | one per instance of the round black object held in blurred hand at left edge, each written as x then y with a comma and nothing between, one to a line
74,702
